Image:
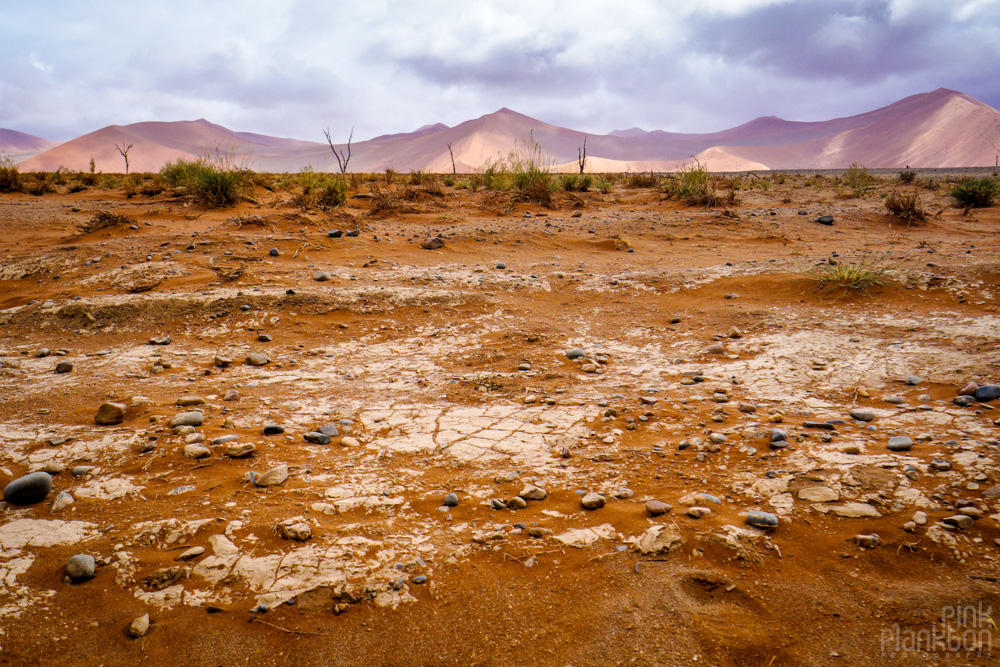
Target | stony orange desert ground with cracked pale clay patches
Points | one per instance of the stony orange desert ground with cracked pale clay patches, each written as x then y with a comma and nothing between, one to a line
619,349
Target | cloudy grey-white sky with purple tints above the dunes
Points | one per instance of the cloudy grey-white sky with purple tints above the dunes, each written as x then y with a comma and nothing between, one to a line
291,68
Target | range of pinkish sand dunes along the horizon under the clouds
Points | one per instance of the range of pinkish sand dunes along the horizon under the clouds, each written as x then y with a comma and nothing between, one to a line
942,128
